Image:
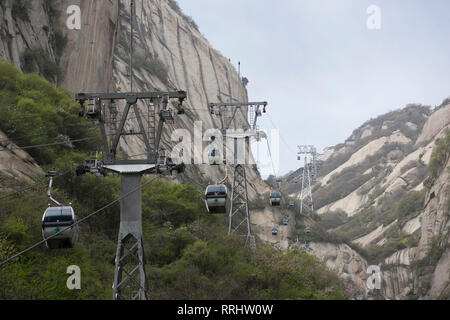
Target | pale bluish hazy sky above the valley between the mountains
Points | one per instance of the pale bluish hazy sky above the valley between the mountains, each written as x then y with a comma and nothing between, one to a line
322,70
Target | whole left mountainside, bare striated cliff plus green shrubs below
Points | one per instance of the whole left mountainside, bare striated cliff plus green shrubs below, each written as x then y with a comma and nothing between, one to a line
195,249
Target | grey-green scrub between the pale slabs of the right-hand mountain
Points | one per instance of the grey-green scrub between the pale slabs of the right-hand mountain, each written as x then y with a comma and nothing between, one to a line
402,206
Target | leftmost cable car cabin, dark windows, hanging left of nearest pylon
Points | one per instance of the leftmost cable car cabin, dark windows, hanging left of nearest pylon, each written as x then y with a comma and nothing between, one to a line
56,219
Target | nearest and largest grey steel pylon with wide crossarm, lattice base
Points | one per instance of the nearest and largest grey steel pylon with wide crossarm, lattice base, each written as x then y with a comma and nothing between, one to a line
129,276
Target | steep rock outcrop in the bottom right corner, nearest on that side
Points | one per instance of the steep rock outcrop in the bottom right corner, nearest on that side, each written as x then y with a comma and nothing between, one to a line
426,278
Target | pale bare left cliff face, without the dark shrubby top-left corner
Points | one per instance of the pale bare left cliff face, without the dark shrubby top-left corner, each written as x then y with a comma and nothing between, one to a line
170,54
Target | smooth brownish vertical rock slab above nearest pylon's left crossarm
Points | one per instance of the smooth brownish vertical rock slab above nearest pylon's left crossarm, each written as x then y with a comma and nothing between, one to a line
87,61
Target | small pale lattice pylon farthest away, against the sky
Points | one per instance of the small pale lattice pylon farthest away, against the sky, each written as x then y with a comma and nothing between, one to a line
309,176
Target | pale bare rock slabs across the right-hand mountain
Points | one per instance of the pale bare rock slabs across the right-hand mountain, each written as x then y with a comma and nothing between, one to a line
419,271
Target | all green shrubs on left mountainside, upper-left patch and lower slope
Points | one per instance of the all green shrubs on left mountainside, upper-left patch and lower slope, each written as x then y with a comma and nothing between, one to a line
189,254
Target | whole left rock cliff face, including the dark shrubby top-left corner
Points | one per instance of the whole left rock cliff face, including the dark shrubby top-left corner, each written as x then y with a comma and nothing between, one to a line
170,54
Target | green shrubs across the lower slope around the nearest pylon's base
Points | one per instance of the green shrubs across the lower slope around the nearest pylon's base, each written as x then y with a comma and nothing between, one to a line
196,260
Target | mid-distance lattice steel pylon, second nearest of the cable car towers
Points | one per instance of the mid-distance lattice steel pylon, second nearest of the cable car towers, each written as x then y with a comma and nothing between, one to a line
239,215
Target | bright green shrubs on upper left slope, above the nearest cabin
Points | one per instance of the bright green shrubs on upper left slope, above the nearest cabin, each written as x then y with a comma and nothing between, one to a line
35,113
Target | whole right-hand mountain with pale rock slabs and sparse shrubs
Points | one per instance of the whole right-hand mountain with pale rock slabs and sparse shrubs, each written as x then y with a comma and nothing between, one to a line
376,193
